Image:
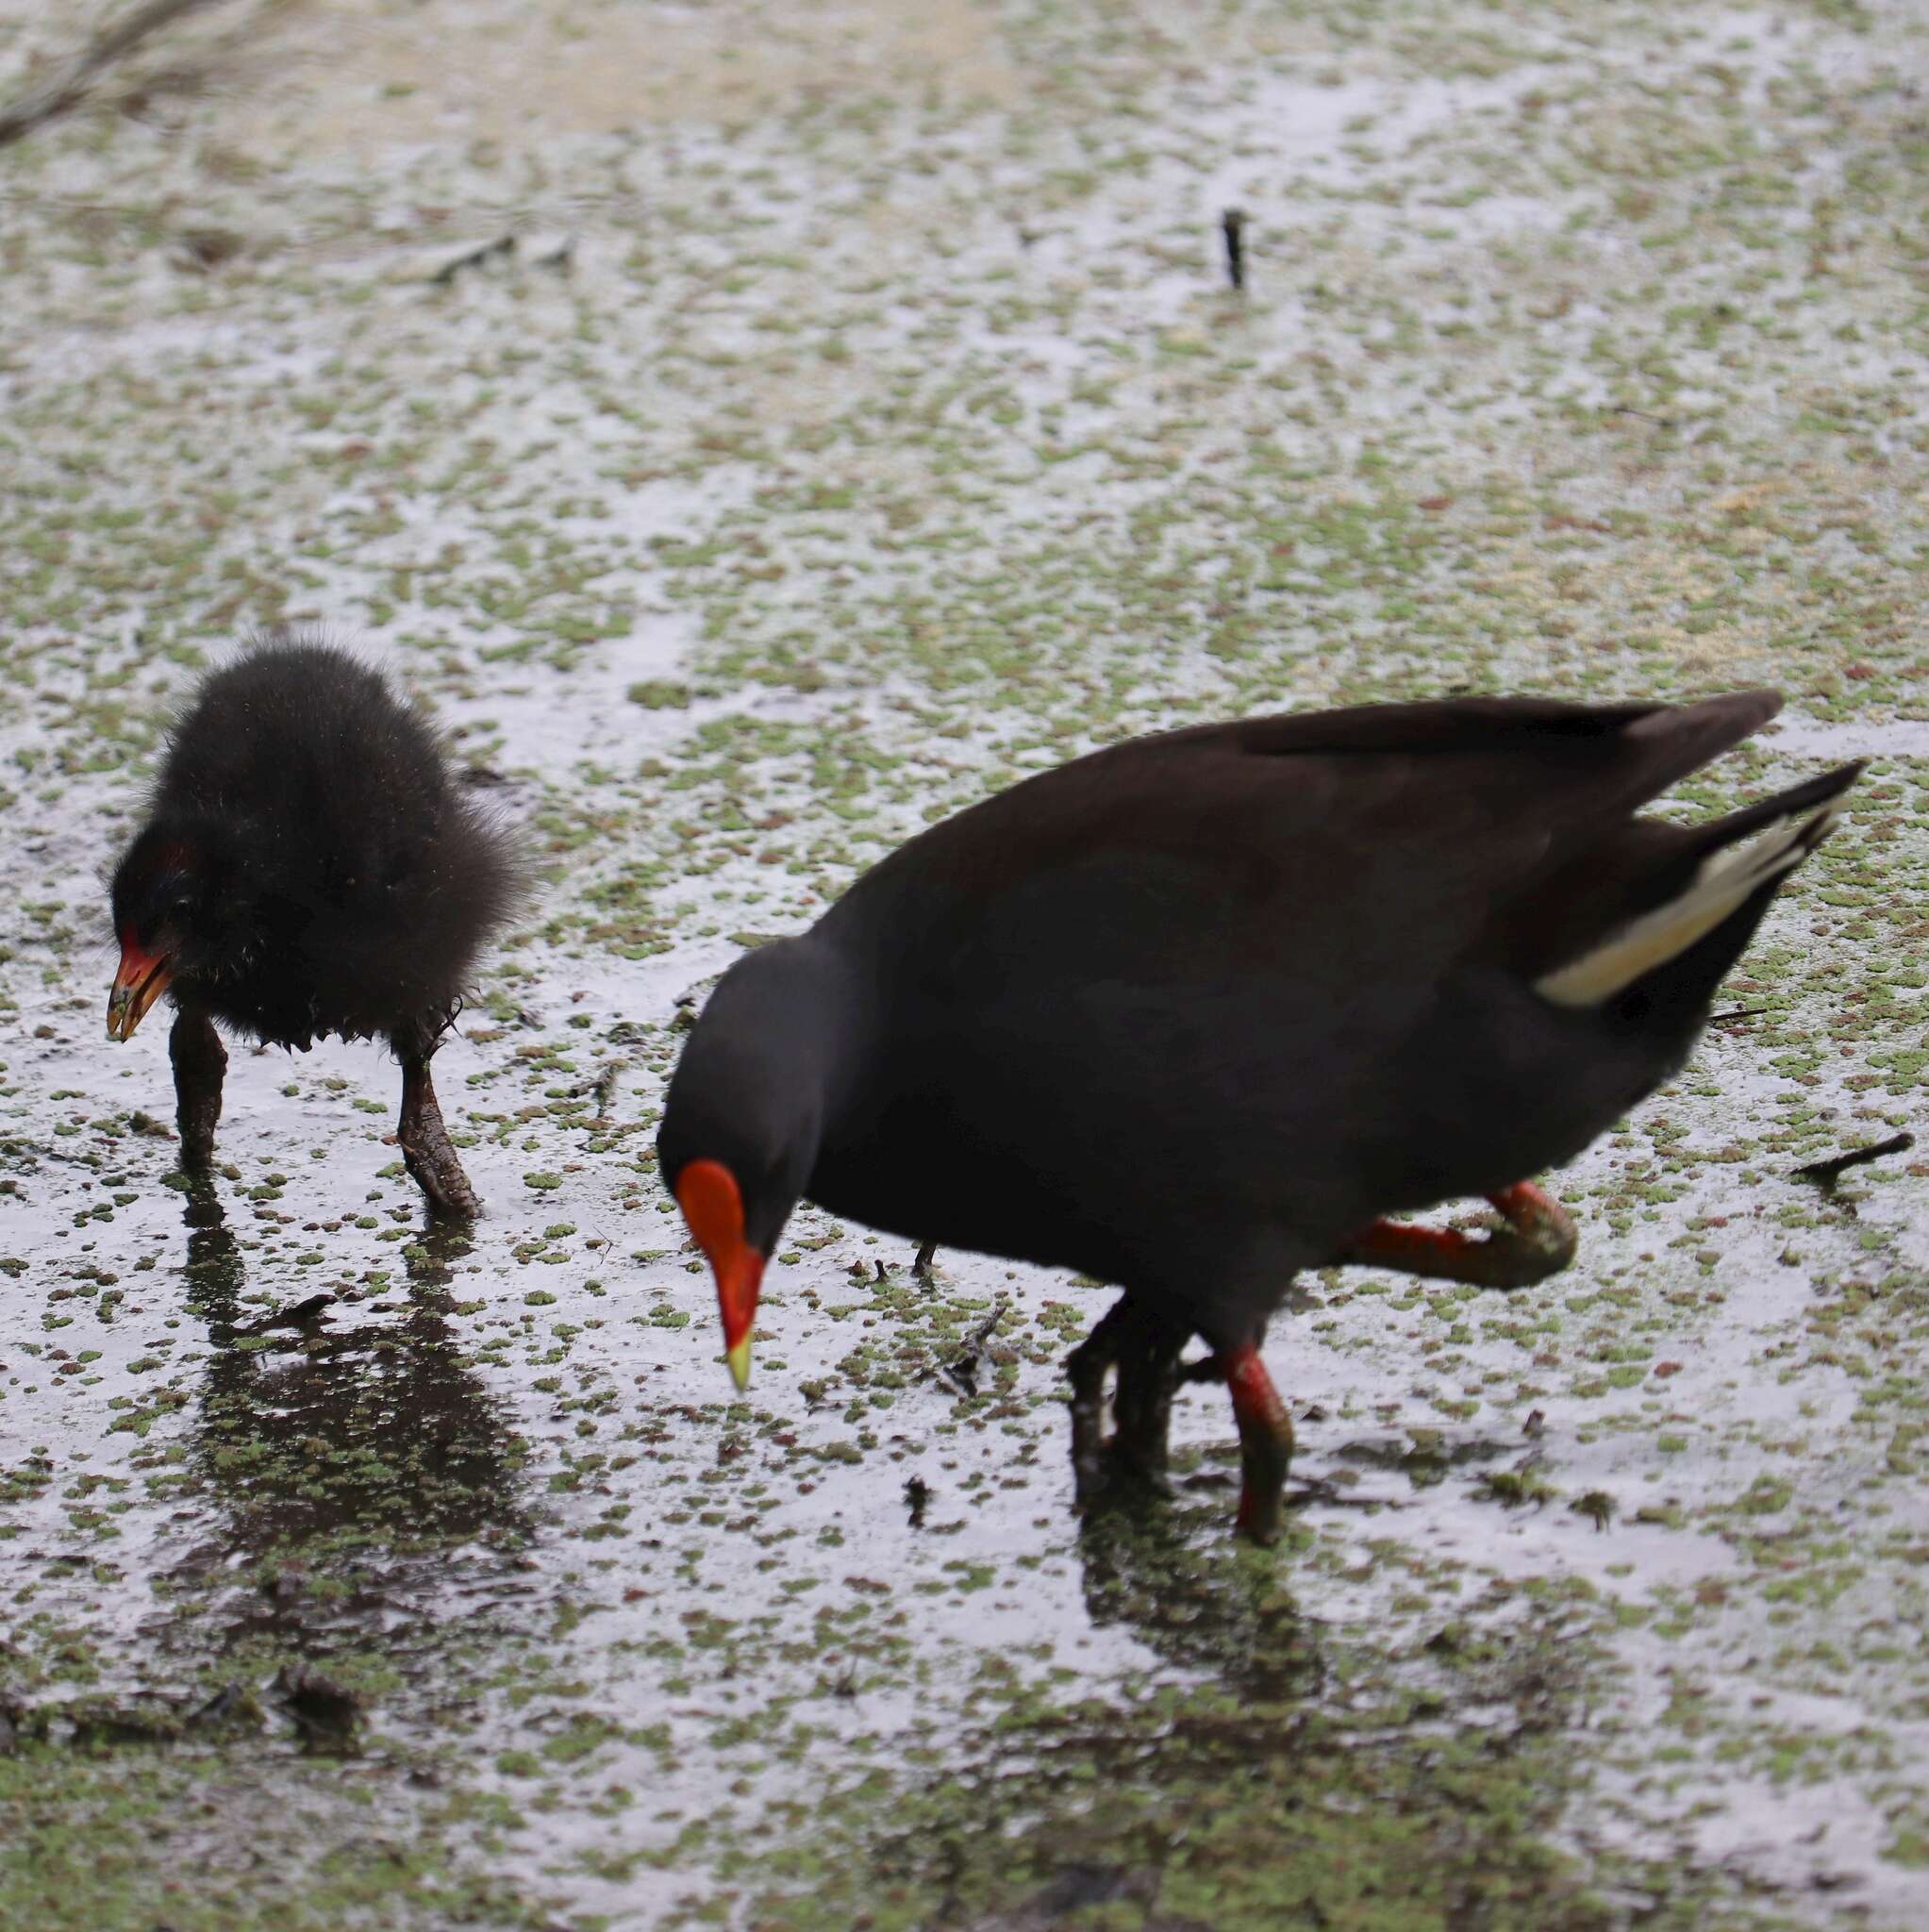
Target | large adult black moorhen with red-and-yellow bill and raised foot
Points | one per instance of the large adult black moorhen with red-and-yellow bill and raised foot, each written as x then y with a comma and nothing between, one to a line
1204,1009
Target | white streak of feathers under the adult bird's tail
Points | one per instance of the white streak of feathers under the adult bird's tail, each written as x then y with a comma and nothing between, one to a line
1747,853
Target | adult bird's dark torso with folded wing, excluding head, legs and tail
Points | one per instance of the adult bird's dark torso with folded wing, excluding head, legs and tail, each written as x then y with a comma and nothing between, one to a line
1198,1006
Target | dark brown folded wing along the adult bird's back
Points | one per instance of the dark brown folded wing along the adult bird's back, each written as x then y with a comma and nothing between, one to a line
1380,843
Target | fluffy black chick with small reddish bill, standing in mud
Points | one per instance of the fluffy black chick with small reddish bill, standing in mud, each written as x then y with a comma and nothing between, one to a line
308,867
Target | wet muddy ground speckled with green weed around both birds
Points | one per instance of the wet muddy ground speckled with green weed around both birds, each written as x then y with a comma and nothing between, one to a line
845,412
